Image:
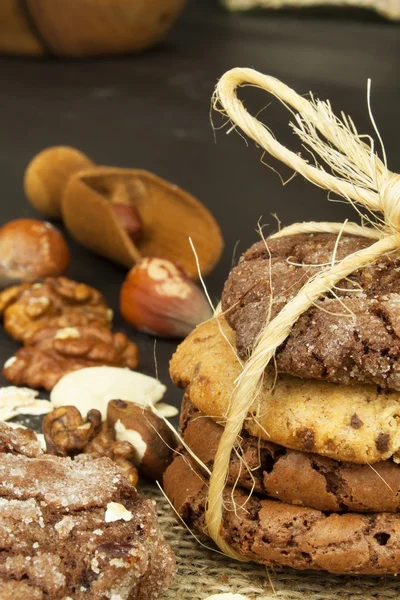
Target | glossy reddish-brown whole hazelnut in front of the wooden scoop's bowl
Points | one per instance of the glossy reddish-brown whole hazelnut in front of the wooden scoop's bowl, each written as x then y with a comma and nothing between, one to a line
158,297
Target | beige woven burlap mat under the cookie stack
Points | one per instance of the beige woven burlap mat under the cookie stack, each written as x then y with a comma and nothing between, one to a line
201,572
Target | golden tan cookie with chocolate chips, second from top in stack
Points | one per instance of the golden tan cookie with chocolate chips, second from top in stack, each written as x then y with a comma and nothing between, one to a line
357,424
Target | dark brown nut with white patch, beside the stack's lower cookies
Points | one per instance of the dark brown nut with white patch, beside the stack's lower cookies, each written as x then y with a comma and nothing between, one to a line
151,438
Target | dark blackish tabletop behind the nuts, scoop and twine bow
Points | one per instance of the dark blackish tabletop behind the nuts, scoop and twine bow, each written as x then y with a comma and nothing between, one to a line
152,111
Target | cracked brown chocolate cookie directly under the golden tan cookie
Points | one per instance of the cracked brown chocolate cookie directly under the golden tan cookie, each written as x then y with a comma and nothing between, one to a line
299,478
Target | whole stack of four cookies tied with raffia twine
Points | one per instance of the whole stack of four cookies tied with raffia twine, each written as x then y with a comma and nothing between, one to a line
314,479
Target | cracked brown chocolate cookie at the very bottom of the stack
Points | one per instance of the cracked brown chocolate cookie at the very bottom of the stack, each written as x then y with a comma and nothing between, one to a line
278,534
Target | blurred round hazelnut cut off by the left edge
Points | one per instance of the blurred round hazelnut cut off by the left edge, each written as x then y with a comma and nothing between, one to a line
32,249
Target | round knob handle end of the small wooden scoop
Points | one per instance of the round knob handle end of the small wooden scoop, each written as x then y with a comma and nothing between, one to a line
47,174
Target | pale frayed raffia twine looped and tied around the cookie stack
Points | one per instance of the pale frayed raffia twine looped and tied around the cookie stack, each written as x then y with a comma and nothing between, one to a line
360,177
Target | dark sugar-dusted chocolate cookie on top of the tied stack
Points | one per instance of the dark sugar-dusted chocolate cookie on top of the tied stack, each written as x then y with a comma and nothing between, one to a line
350,336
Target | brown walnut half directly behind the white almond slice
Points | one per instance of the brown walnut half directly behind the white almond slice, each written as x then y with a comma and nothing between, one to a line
50,353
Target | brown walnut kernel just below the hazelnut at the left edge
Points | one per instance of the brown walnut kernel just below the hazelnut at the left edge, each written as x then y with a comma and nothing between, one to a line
57,302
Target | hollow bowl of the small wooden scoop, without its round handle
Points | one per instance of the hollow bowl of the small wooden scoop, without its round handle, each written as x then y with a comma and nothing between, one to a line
169,216
